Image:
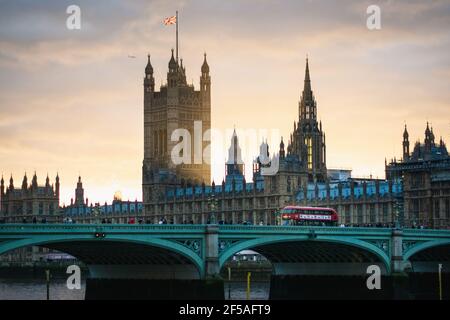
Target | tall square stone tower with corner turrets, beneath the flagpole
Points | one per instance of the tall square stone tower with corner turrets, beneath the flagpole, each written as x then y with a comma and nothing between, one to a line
177,105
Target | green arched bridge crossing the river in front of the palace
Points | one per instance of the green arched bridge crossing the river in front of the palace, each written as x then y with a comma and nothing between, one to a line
196,253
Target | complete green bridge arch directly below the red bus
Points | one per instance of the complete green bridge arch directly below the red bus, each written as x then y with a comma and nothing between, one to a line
253,244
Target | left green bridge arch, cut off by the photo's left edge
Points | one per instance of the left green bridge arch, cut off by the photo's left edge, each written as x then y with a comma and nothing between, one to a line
55,241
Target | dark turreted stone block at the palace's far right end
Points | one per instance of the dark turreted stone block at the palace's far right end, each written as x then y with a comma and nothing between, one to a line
425,173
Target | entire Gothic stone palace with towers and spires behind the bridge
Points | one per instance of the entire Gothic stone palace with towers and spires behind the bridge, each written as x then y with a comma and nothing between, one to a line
415,192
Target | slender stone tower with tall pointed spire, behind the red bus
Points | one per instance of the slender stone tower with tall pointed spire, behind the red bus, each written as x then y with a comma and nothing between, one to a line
308,140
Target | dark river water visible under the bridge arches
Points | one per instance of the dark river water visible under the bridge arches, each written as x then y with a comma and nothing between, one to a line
36,289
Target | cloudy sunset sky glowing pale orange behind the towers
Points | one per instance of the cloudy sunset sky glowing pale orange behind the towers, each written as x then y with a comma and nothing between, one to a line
71,101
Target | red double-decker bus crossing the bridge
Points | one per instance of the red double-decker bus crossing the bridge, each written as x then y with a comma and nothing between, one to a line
309,216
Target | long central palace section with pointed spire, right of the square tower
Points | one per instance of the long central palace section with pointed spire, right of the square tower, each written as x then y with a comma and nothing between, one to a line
301,178
